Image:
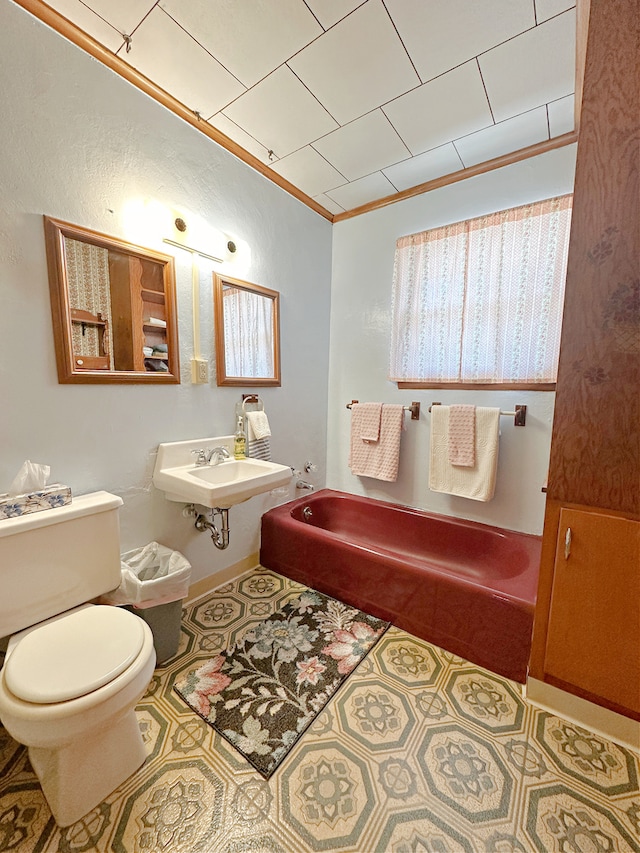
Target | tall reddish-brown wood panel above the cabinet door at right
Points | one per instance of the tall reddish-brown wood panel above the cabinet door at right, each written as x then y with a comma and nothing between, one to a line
595,452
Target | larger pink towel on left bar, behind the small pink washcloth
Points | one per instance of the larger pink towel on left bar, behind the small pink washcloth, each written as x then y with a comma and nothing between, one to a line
378,459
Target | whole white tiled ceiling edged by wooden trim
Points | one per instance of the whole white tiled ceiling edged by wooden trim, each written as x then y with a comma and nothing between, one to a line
353,101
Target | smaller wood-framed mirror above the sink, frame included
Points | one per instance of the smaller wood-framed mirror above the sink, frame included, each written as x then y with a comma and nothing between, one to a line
247,319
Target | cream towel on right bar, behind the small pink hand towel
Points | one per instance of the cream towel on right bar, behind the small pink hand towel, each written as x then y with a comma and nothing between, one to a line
477,482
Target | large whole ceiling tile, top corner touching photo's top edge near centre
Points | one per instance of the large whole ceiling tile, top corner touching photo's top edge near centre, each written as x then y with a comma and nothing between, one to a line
357,65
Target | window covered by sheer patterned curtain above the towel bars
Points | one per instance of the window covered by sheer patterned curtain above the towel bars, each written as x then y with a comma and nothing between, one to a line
480,302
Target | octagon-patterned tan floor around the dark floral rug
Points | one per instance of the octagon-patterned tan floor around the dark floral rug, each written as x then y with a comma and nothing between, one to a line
419,752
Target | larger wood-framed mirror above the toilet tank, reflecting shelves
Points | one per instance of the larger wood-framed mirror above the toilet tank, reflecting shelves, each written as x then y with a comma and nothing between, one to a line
113,307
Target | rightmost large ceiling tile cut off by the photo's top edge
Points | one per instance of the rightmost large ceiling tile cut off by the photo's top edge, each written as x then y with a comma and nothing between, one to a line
439,36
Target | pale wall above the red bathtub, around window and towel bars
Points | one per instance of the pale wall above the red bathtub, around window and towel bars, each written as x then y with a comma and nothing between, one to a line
363,252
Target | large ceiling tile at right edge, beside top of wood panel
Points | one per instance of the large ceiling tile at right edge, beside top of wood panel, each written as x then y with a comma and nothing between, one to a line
532,69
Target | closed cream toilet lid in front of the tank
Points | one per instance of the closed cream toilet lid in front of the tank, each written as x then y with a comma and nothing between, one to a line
73,654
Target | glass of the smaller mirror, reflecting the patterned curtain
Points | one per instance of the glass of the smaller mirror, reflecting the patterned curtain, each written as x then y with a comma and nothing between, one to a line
248,334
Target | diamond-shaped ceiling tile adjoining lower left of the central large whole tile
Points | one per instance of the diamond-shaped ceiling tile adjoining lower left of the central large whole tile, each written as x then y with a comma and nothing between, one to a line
281,113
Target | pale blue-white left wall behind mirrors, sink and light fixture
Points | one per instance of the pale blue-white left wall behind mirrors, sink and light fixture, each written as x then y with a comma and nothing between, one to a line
78,143
